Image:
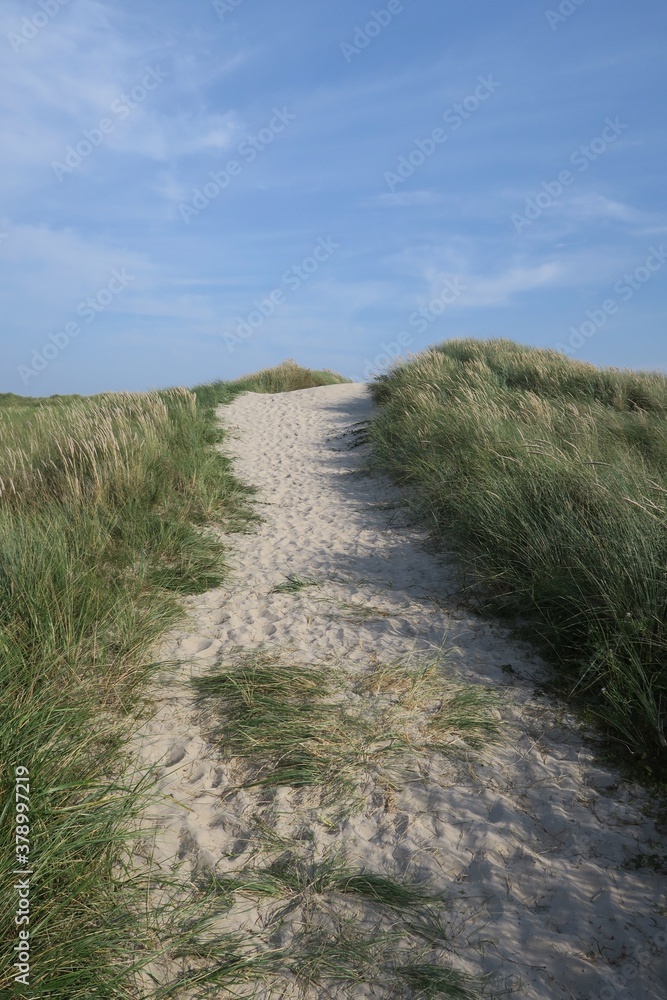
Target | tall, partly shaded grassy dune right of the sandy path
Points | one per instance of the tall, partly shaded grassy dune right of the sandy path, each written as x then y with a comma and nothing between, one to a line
548,477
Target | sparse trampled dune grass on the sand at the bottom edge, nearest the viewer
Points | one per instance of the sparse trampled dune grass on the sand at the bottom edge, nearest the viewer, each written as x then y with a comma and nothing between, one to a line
327,925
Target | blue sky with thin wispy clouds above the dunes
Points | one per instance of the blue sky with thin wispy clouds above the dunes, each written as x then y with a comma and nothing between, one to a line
387,177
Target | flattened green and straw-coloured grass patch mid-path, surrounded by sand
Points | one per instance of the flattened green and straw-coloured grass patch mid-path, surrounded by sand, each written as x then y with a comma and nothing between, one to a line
295,726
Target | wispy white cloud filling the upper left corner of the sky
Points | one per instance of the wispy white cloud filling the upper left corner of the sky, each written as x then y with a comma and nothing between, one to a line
67,78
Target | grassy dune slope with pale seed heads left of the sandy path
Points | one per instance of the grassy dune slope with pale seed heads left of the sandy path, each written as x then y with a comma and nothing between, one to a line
106,506
